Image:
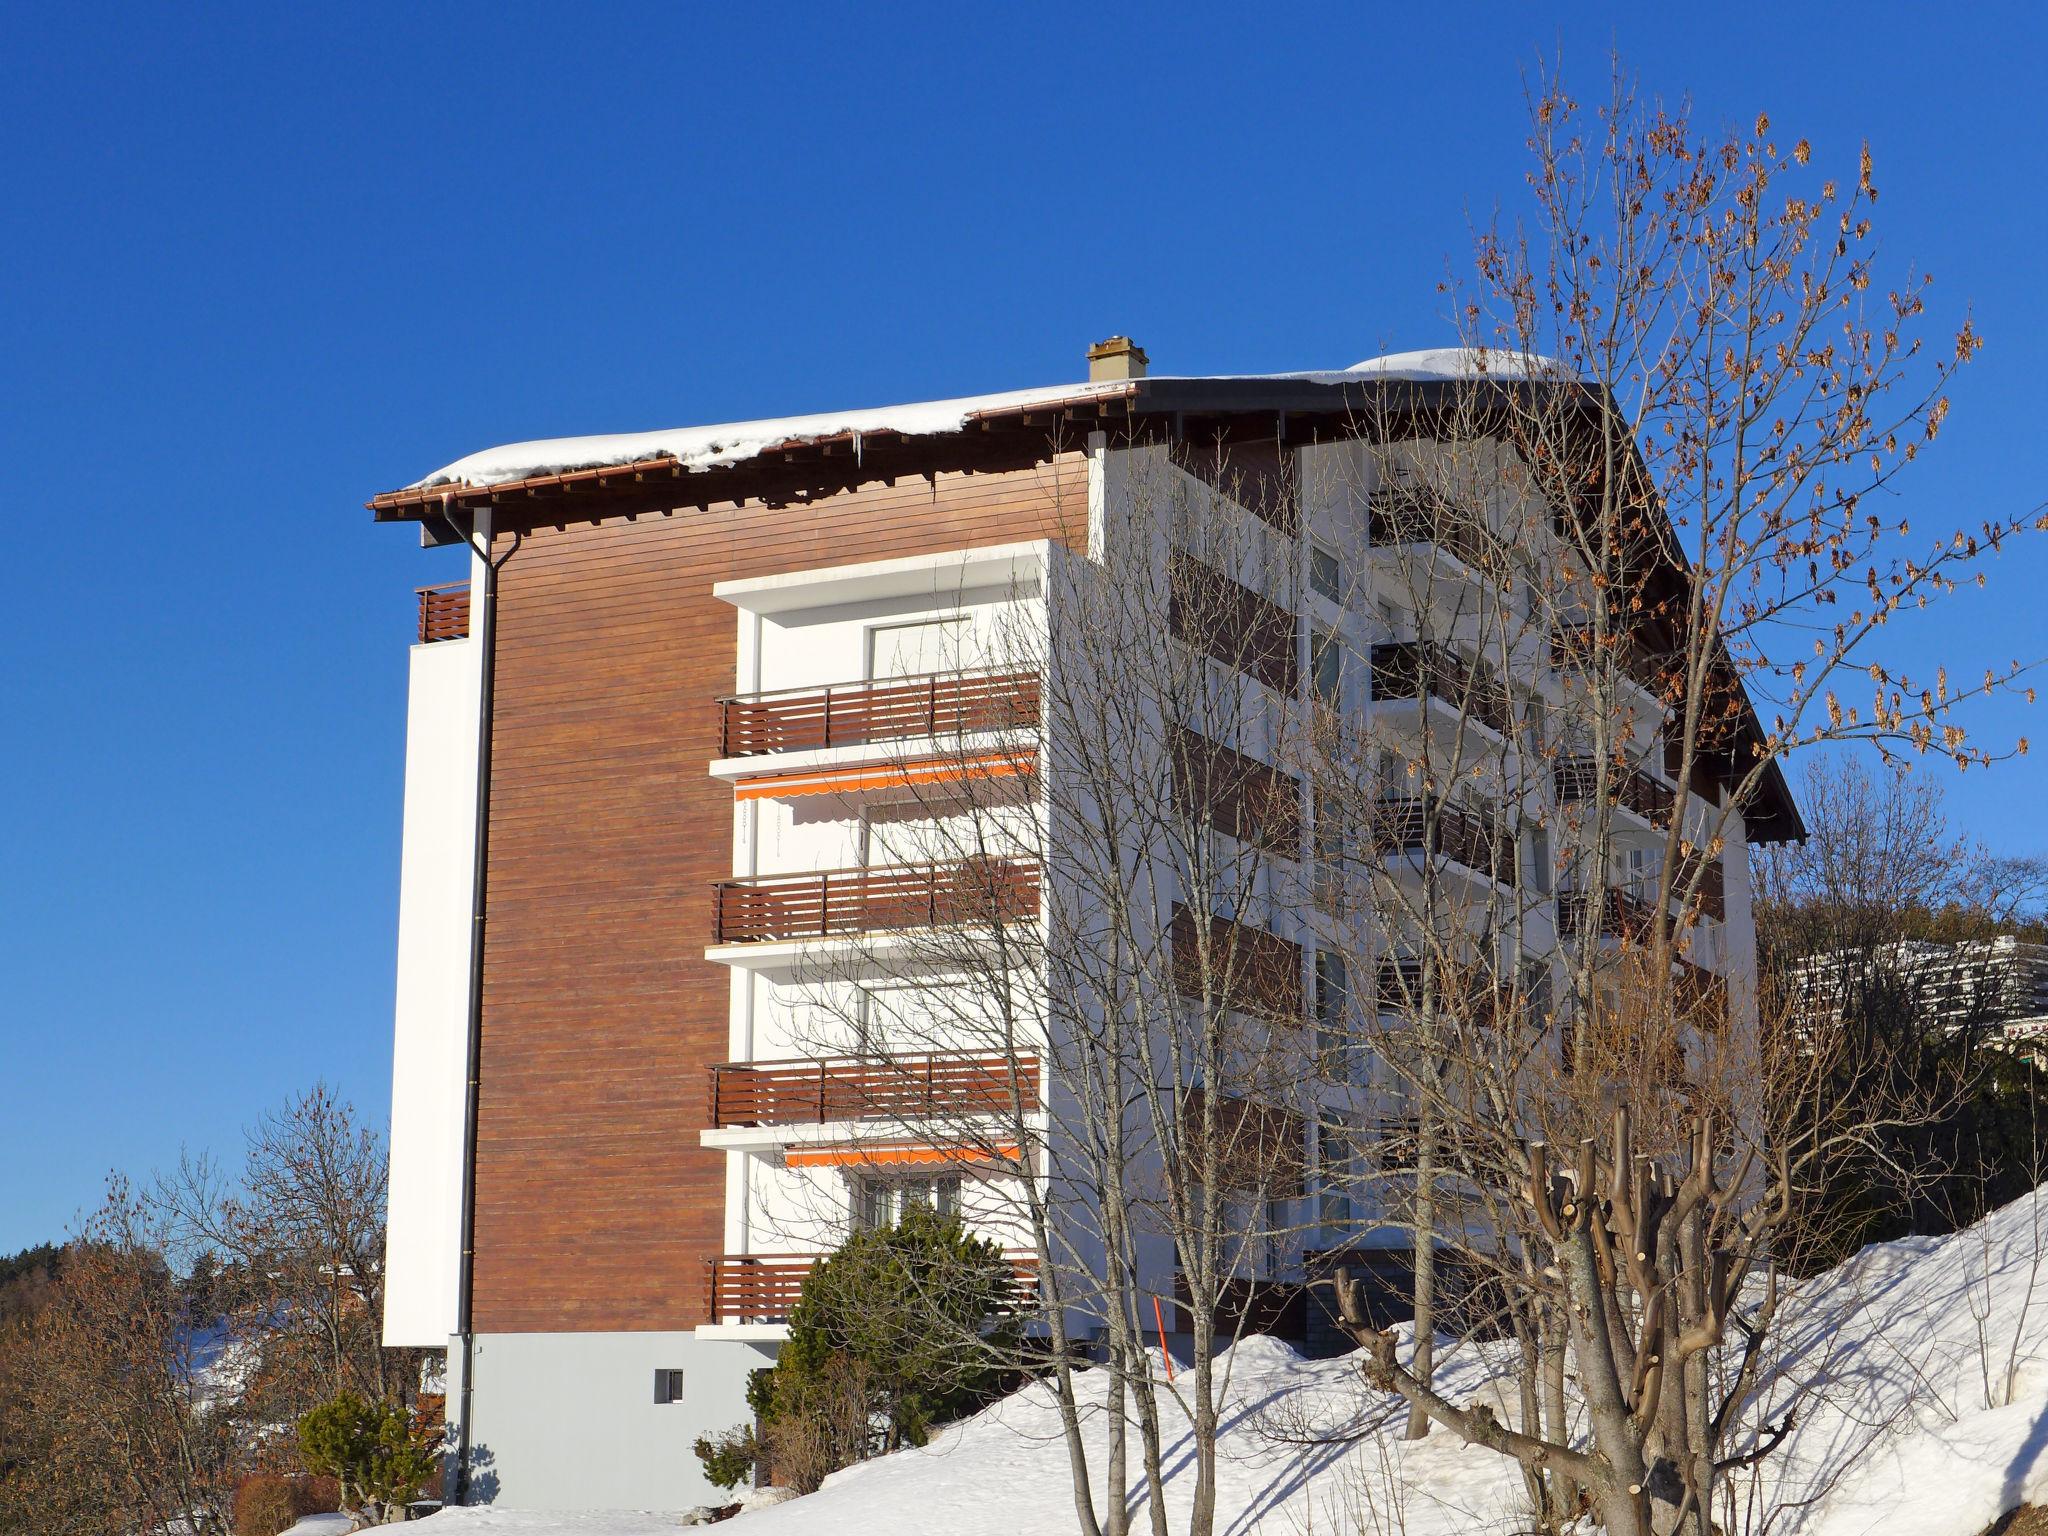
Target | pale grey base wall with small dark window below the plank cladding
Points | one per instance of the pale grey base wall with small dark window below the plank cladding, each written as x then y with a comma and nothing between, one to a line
570,1420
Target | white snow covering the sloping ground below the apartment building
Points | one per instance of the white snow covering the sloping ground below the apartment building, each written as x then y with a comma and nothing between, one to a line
1918,1377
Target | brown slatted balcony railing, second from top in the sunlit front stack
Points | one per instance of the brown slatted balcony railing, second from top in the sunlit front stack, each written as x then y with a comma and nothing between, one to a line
873,900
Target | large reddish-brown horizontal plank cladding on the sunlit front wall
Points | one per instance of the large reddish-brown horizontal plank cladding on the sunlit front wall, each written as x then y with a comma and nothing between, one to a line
597,1205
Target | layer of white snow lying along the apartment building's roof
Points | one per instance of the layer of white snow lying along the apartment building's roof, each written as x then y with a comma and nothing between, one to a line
730,443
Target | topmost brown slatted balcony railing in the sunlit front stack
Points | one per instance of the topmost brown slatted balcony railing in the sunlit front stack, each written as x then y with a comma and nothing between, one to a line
884,710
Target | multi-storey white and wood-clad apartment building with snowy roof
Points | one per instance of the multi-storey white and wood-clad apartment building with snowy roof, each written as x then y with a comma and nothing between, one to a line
740,740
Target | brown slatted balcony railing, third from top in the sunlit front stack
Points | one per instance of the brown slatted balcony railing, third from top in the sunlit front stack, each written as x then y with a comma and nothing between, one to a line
812,1093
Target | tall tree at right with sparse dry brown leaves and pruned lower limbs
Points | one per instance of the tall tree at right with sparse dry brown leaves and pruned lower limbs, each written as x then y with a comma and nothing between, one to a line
1646,503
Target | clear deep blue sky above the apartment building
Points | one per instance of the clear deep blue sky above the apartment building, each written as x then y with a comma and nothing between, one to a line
265,263
